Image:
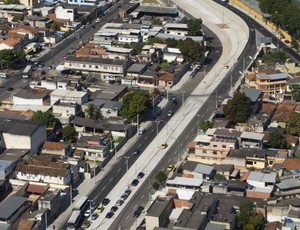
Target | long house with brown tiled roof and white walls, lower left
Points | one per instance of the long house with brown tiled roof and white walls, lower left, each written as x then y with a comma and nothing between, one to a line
43,168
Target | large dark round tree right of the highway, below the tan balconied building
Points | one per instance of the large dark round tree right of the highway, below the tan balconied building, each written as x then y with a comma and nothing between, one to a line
238,109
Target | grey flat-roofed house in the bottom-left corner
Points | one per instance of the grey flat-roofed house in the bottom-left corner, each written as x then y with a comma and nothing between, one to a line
12,208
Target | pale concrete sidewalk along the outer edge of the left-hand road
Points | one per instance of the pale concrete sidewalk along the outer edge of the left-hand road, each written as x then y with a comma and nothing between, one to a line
88,184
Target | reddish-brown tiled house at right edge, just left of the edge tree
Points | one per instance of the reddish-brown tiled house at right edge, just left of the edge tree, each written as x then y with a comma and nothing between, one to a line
281,115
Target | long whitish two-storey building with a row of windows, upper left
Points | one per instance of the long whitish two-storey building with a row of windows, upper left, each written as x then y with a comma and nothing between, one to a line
108,69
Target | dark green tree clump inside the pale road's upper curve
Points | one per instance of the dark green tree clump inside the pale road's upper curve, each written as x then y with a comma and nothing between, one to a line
191,50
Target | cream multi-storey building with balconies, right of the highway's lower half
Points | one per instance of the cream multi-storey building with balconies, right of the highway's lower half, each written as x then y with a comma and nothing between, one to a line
212,150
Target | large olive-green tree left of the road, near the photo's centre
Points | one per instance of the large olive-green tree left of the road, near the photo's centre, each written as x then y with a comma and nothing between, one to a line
134,103
